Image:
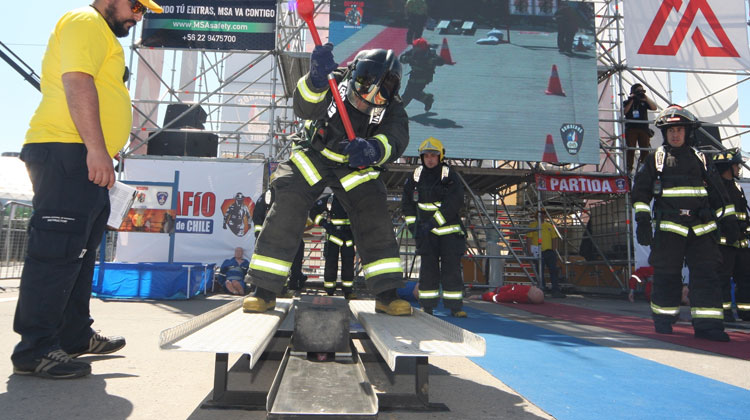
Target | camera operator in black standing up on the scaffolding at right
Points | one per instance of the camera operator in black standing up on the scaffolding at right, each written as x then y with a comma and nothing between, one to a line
636,108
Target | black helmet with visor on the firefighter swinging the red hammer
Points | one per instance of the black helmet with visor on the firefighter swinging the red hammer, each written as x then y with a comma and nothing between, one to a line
375,80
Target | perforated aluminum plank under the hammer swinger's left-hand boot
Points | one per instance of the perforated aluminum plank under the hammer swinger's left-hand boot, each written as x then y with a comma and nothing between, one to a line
227,330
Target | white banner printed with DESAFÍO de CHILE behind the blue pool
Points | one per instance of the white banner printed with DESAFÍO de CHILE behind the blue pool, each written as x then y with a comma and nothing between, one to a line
210,193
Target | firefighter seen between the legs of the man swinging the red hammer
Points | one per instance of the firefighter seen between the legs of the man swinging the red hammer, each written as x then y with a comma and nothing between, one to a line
330,215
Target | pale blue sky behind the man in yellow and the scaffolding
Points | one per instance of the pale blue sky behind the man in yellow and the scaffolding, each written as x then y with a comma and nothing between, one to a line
25,30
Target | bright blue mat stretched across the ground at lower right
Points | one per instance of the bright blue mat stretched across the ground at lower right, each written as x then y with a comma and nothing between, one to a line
571,378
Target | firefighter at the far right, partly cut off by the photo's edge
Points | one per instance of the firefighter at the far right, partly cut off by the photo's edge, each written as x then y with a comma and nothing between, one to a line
735,254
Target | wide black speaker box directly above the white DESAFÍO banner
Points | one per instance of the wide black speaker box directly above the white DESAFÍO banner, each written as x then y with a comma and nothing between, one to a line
186,142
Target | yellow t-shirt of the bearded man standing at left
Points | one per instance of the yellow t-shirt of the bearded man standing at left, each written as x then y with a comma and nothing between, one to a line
82,42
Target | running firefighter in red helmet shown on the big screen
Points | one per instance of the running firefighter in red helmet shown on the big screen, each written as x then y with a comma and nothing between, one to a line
423,61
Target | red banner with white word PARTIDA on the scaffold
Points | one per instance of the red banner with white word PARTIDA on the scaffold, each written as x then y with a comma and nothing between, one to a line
582,184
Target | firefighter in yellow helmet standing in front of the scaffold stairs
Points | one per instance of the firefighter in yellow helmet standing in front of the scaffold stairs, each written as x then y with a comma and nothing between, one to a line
431,202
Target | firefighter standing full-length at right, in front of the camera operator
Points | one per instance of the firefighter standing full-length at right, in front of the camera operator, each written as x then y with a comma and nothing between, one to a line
688,201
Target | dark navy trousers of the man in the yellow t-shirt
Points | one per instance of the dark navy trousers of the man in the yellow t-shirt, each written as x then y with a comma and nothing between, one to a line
70,214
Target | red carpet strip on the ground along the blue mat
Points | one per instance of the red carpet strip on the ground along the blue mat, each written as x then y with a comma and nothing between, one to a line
739,347
